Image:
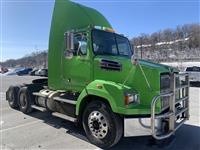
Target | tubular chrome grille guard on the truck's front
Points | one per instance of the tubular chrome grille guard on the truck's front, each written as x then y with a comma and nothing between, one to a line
171,116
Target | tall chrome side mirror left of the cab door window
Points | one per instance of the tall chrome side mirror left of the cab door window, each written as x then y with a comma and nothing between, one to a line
69,45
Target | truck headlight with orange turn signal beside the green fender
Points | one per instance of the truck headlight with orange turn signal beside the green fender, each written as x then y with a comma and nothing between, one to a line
131,98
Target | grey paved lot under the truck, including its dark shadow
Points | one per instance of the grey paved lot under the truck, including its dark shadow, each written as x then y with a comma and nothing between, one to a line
42,131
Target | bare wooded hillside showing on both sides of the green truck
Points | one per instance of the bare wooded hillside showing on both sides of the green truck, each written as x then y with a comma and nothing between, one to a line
180,44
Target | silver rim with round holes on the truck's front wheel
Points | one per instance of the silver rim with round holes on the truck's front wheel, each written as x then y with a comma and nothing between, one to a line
98,124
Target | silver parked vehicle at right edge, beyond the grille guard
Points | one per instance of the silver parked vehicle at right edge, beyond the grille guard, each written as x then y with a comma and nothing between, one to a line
194,73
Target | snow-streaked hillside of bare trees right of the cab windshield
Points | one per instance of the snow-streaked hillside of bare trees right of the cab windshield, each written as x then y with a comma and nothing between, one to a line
181,43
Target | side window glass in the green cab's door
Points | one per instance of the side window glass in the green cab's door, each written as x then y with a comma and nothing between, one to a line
80,44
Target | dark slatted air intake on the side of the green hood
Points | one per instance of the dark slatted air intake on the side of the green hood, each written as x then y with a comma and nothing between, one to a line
110,65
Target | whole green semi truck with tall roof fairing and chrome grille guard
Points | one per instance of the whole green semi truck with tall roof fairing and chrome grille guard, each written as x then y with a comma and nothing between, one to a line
94,80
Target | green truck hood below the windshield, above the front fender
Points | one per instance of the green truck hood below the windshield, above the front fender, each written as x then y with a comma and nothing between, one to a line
144,78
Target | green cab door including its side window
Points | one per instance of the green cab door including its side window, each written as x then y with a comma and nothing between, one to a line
77,70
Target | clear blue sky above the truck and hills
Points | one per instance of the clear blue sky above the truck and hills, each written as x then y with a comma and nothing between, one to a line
25,24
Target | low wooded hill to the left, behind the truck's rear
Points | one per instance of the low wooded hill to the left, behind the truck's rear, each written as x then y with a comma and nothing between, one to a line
35,59
